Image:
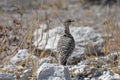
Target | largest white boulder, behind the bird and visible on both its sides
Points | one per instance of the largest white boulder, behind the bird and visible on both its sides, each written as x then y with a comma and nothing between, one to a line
85,38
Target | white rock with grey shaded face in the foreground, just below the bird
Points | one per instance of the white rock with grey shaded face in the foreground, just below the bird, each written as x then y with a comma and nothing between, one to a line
52,72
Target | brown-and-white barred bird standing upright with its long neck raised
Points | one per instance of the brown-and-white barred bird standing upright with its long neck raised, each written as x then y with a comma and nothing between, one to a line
66,44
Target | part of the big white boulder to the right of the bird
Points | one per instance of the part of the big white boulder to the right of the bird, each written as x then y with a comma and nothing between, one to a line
87,37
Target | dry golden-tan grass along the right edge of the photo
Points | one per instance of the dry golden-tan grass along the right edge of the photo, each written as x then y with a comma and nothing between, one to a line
113,28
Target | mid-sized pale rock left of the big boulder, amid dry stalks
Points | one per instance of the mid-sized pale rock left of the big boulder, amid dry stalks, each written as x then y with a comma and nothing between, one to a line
22,55
